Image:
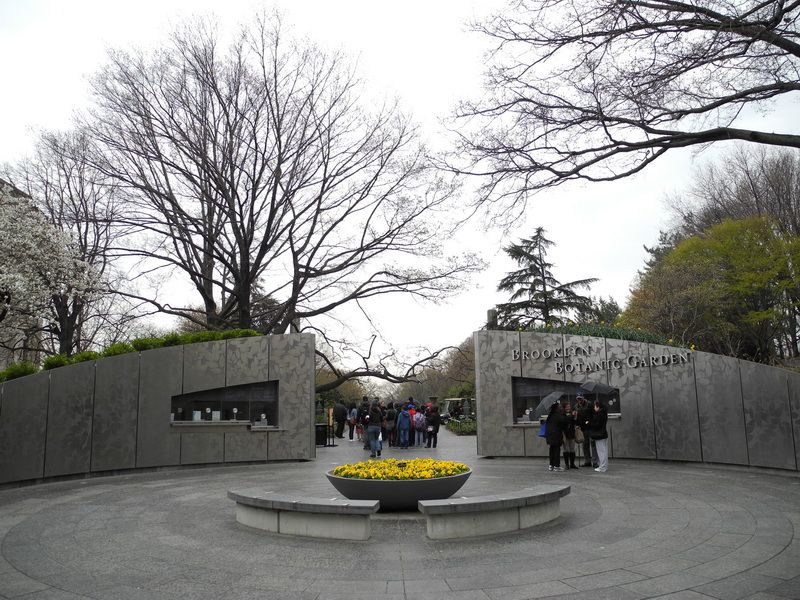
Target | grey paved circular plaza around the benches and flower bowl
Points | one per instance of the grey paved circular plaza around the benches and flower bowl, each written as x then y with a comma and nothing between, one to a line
643,530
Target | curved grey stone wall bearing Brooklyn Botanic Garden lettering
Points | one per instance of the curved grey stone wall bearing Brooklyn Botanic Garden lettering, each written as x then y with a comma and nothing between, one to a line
676,404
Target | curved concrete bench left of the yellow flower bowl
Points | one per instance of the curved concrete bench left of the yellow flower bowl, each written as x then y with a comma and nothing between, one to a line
334,518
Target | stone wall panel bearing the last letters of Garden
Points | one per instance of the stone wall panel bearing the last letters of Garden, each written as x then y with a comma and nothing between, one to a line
674,404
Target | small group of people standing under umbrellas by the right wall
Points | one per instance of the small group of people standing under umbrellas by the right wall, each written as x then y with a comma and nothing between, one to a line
585,424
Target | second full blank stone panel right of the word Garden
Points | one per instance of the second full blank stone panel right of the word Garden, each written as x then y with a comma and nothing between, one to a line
765,396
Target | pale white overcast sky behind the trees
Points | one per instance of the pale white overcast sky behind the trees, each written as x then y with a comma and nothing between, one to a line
419,51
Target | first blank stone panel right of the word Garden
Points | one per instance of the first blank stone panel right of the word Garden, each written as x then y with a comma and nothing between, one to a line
719,400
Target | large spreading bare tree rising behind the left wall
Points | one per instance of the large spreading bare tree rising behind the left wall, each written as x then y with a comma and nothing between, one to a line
257,166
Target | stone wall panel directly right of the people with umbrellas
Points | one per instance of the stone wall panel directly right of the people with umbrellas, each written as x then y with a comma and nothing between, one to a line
634,433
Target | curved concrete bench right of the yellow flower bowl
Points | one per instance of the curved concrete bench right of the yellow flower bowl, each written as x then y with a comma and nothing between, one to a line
487,515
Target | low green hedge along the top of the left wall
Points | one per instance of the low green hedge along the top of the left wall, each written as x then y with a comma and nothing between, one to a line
20,369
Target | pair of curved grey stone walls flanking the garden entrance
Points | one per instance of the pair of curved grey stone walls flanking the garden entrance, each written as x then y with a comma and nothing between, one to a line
122,413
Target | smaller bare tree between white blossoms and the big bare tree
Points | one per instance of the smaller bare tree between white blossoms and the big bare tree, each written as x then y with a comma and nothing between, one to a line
79,201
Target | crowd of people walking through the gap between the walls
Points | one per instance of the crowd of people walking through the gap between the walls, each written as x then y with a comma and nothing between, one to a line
397,424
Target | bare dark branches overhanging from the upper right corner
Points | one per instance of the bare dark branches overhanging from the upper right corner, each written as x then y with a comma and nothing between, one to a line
599,90
